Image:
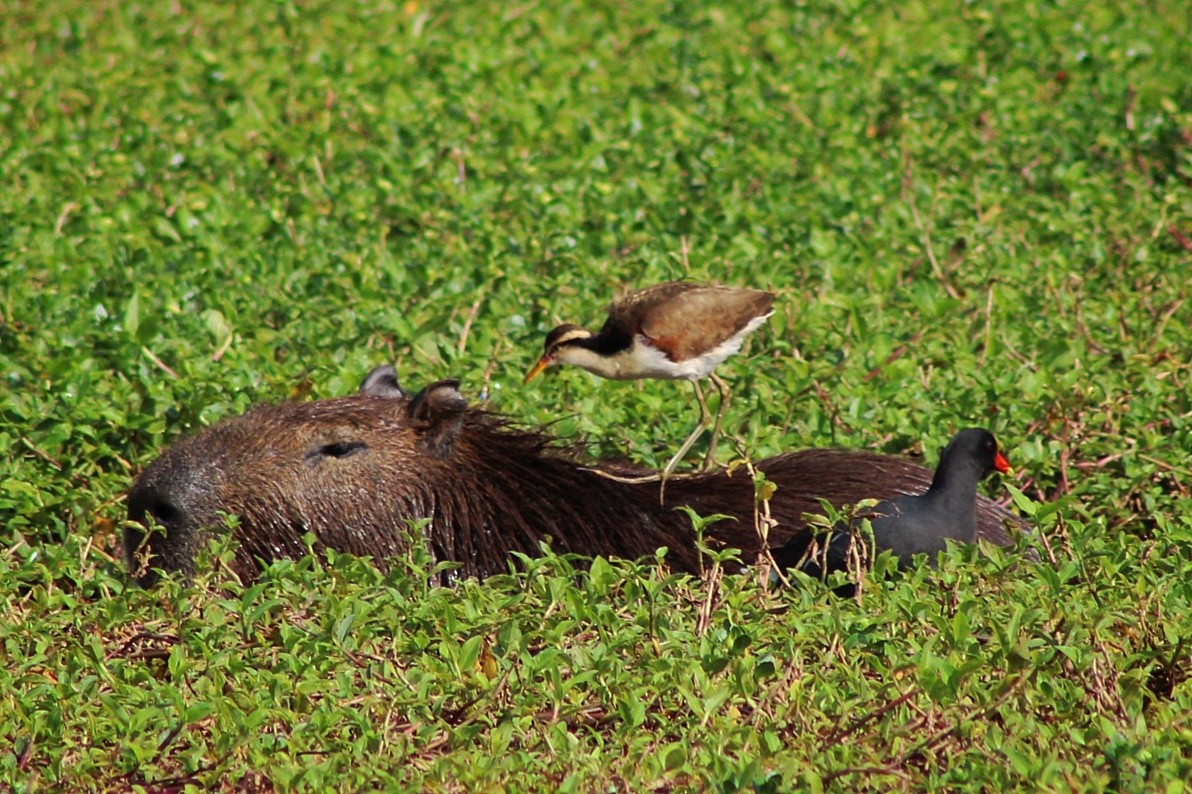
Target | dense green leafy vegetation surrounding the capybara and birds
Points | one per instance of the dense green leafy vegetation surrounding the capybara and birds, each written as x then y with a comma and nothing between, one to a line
972,213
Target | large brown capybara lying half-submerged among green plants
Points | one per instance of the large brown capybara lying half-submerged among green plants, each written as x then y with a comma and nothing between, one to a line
358,473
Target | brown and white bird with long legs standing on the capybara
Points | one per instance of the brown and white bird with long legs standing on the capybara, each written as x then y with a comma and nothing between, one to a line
674,331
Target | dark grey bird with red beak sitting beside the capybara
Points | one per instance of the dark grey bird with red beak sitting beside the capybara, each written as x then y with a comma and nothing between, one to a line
916,525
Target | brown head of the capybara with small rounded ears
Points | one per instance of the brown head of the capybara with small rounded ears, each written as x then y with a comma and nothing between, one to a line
287,470
